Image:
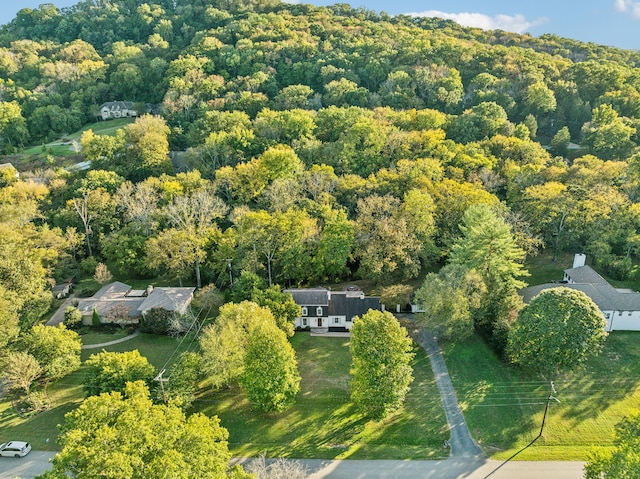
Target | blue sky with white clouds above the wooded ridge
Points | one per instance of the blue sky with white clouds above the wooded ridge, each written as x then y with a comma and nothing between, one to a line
607,22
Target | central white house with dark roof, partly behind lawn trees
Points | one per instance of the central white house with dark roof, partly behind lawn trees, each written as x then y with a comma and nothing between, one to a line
326,310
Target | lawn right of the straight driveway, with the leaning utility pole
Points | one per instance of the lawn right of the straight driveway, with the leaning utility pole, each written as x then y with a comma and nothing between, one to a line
504,407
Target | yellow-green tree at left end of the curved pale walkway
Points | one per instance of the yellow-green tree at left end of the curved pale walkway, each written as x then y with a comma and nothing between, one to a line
56,349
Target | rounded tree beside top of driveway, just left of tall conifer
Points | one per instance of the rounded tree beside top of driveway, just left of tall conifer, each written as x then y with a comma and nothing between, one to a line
449,299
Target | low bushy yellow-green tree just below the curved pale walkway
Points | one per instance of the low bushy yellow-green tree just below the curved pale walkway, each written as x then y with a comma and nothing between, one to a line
108,371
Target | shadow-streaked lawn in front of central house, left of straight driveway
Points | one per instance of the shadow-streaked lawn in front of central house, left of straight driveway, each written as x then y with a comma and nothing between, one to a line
323,423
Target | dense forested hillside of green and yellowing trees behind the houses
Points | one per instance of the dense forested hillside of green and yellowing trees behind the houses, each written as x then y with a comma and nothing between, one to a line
322,144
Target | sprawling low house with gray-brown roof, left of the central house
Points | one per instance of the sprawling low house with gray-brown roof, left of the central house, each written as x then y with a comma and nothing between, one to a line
136,302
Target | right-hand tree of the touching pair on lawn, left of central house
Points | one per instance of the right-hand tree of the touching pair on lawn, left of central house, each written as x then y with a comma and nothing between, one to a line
270,376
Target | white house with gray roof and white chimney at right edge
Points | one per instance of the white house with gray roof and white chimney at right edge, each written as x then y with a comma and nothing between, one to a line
620,307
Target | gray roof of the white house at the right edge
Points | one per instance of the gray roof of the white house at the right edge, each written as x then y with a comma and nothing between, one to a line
593,285
